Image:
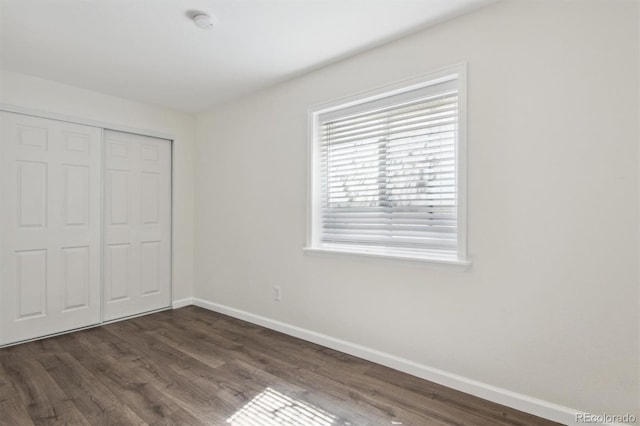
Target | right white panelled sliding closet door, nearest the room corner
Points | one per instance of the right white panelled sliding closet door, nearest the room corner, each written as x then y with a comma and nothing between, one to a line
137,224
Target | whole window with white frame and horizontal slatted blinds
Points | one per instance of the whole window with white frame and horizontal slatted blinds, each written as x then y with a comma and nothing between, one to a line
387,172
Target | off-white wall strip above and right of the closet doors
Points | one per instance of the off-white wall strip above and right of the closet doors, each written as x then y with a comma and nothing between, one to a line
35,93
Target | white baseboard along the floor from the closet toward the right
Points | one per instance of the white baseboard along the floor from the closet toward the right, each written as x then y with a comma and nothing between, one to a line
505,397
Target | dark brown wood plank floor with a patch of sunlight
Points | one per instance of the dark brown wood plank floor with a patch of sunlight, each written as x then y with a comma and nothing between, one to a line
194,367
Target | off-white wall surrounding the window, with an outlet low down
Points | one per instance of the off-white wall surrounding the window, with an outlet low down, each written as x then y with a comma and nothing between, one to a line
550,306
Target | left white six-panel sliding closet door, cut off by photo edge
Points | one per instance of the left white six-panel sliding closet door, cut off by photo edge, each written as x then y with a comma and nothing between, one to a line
49,226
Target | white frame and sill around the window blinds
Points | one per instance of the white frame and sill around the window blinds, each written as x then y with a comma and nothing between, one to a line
314,222
